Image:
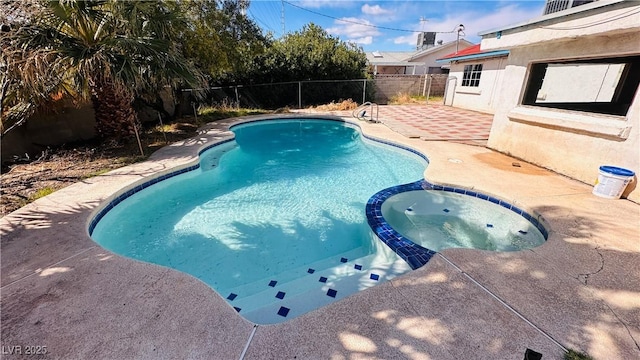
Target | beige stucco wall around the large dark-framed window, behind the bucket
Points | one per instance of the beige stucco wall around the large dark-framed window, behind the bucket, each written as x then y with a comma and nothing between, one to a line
570,142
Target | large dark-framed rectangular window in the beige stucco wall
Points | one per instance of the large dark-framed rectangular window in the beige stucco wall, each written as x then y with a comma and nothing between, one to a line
604,86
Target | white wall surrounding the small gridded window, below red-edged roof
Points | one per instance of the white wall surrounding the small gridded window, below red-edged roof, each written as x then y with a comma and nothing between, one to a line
483,97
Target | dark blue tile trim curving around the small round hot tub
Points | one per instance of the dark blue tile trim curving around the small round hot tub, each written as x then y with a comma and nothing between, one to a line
414,254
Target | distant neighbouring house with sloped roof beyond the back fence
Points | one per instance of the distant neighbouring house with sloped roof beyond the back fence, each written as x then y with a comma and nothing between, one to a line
417,62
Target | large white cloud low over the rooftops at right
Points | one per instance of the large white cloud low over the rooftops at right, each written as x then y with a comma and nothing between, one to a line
473,21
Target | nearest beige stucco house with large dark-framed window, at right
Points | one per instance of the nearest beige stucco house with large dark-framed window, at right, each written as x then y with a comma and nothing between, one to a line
567,98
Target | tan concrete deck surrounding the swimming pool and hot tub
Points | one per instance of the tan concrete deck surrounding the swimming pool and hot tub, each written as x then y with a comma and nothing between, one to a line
580,290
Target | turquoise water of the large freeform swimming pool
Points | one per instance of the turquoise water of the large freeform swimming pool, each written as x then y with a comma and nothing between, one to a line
268,216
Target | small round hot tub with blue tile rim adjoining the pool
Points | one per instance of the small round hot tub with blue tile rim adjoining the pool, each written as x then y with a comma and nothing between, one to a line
419,219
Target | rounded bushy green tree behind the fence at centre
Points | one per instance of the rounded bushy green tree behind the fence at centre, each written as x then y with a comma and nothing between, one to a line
311,54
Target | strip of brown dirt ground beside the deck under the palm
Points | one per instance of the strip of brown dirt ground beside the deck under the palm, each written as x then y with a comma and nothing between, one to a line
25,180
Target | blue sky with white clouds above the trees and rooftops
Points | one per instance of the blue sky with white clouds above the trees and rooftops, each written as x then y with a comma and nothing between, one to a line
392,25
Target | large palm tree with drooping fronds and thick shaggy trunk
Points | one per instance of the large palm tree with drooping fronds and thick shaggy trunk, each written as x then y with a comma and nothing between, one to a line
105,51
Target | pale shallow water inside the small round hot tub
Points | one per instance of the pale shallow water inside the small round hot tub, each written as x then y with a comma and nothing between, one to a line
438,220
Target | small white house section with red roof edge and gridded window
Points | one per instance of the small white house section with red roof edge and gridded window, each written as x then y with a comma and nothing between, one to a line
475,76
